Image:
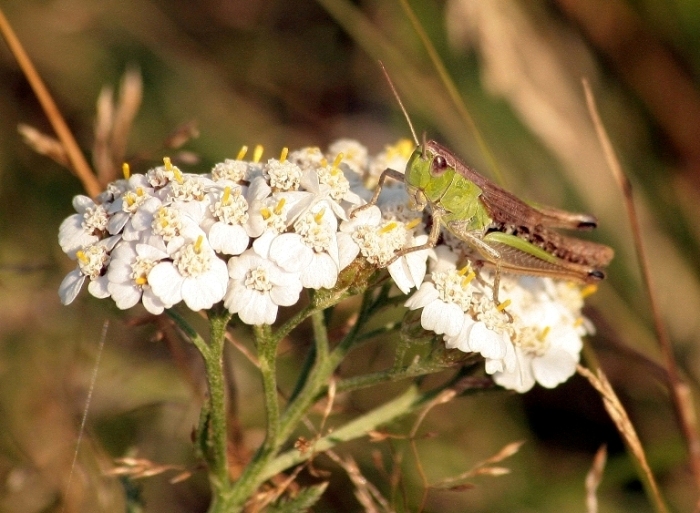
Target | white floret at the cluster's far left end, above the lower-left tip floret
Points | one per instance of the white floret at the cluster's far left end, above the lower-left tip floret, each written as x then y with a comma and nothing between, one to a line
84,228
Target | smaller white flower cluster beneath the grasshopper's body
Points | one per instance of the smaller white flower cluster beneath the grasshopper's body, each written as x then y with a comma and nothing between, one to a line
538,339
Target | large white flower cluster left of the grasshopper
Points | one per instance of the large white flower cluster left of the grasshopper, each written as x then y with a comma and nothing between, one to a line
249,233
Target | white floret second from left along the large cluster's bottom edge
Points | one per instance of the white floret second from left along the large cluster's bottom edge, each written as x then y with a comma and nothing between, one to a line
128,273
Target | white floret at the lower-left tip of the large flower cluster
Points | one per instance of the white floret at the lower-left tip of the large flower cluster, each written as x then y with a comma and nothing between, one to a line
92,262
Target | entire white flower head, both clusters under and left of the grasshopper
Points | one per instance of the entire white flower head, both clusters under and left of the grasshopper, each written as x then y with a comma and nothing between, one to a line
254,234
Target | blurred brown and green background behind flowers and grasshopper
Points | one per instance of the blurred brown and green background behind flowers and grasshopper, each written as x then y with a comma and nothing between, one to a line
303,73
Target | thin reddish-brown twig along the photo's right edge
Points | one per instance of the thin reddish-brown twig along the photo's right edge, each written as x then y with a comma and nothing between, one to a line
679,390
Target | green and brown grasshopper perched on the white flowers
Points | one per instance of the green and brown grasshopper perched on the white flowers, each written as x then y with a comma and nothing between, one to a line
502,231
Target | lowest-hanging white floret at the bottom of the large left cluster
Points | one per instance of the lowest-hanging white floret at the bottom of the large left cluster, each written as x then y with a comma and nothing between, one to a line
258,287
